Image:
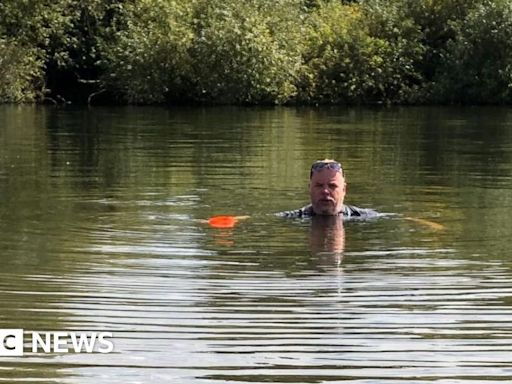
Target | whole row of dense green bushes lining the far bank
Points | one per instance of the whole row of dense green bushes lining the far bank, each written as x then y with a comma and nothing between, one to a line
257,51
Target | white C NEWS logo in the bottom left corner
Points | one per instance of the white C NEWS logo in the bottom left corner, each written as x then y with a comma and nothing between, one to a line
12,342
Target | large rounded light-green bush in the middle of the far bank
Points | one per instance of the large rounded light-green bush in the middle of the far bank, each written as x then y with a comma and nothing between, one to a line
248,52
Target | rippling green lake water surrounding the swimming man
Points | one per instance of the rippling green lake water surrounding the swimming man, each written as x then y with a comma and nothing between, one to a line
102,229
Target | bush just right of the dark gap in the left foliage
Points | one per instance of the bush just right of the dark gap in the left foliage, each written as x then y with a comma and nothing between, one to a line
149,59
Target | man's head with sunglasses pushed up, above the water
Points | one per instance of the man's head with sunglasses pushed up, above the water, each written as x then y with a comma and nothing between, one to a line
327,187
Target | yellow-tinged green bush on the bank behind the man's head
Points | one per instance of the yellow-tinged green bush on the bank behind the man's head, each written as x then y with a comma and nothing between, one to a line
361,54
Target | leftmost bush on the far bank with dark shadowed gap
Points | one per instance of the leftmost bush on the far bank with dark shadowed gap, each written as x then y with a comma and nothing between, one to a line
56,41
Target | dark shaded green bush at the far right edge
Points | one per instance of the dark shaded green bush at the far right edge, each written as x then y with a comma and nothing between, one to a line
478,64
